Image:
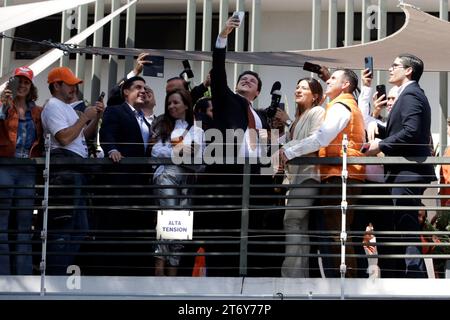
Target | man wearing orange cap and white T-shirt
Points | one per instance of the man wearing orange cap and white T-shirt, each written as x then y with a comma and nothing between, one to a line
68,132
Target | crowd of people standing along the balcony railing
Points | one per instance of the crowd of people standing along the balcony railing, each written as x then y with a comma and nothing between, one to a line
394,125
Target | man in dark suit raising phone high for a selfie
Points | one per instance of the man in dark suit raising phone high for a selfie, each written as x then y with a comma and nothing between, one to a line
234,110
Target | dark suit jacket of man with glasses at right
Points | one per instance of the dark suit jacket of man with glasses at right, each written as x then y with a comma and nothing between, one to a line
407,134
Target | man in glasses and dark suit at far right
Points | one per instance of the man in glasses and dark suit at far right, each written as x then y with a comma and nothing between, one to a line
407,133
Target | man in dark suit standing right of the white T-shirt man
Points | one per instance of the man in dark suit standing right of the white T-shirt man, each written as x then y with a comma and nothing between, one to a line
125,133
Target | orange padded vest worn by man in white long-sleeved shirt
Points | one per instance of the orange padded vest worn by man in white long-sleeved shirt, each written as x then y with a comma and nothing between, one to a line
356,137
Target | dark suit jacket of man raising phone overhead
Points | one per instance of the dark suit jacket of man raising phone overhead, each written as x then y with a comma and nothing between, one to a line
229,108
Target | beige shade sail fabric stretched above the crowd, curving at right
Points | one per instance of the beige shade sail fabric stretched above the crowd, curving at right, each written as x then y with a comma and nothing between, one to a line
422,35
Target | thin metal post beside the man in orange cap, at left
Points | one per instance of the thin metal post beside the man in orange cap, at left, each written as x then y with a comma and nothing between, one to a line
46,174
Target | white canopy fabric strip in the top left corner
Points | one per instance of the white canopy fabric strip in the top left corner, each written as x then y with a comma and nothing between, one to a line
14,16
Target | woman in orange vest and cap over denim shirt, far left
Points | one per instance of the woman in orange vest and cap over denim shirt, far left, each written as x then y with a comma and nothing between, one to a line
21,136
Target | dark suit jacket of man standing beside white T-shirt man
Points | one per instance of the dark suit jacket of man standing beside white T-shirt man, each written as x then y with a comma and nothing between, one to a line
120,130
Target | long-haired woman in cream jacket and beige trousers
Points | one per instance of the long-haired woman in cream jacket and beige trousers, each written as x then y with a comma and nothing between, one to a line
308,118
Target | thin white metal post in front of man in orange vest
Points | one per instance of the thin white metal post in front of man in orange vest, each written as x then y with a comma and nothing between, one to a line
343,267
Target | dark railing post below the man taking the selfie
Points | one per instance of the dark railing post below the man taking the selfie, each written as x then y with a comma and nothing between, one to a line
245,218
